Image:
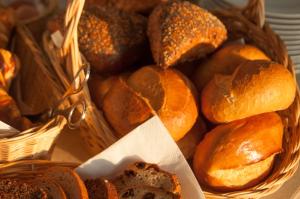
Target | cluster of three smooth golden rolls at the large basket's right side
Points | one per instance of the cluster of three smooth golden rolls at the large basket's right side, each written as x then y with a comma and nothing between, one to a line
241,88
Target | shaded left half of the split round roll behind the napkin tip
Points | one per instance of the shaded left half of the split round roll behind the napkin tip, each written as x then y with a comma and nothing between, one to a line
124,108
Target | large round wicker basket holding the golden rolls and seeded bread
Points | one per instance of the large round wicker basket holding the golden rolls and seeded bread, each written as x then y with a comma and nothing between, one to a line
247,23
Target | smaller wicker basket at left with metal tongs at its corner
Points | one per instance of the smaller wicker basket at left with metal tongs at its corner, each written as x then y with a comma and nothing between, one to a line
38,92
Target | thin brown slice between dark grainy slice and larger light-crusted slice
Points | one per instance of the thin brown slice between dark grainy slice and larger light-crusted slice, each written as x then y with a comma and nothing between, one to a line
52,188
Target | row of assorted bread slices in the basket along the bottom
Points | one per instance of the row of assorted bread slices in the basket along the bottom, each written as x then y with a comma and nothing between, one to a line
139,180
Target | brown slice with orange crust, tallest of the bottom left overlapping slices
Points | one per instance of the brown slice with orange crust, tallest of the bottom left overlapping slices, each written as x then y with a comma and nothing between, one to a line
69,180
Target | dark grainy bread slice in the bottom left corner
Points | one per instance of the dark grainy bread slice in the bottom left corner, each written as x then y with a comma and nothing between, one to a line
14,189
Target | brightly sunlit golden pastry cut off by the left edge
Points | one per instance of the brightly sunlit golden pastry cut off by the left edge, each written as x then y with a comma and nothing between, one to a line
9,67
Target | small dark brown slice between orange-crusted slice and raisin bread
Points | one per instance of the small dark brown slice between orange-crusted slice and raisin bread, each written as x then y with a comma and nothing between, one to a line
101,189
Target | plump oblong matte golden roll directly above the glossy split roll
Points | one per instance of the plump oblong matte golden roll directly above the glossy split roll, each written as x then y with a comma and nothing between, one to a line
255,87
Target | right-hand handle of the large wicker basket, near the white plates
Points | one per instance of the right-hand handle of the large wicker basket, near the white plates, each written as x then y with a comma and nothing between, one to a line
255,12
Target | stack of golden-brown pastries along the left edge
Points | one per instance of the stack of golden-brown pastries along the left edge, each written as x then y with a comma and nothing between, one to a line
9,68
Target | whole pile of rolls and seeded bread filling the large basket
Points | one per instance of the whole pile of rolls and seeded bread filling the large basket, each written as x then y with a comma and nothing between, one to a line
137,49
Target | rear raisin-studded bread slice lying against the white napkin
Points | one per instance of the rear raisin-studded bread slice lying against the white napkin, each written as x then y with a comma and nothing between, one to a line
145,174
